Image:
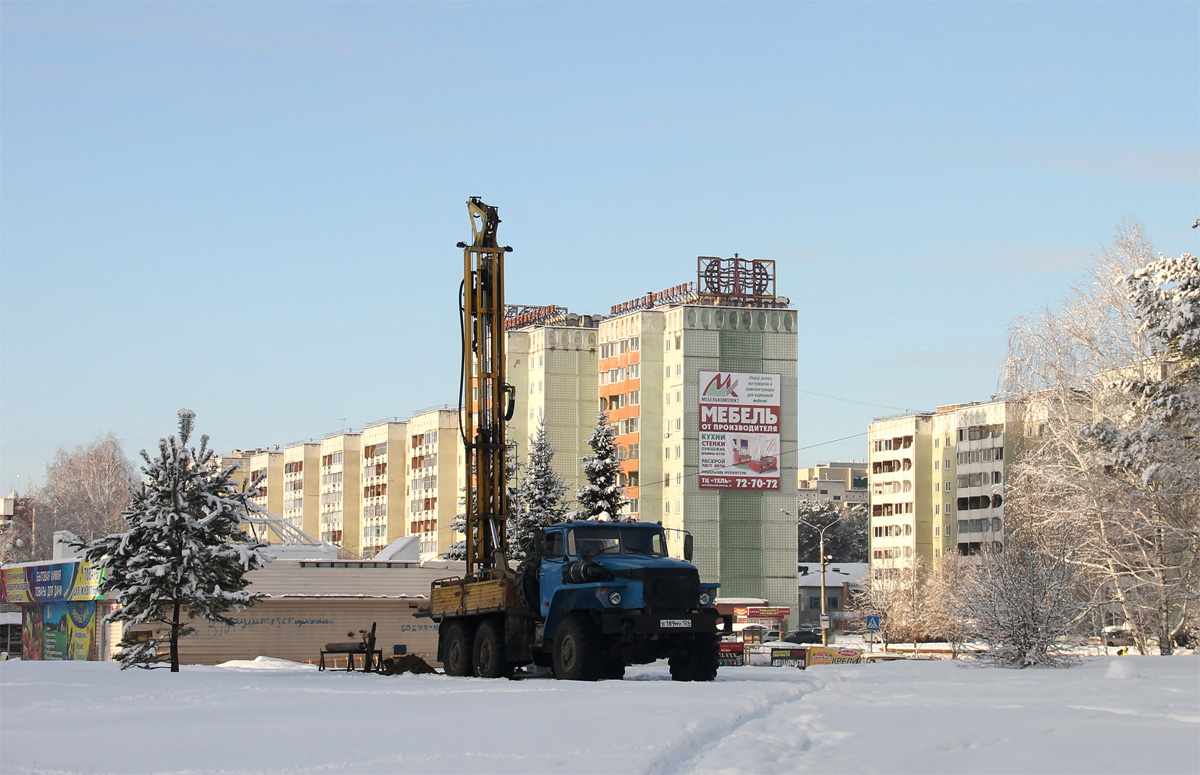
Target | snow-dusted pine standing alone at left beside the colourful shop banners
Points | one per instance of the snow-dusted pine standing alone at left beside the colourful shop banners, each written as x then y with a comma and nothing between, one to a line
184,554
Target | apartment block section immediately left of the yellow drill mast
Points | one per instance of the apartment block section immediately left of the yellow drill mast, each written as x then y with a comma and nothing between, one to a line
434,483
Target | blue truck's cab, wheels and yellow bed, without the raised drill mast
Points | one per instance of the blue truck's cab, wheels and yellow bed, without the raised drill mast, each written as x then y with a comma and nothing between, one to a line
591,599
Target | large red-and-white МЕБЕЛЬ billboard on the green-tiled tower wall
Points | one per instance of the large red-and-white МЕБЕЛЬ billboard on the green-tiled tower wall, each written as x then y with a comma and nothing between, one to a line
740,423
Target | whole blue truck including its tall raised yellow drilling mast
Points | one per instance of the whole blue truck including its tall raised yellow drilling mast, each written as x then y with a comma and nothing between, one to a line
591,598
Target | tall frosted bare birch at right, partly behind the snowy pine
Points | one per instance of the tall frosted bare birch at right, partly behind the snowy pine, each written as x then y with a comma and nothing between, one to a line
1111,460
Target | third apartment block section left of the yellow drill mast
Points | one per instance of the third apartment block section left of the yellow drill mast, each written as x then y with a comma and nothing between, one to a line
341,466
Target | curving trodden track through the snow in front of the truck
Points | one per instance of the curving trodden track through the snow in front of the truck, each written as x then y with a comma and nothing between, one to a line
700,737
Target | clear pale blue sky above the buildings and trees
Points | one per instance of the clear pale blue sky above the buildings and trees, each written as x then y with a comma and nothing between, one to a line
250,209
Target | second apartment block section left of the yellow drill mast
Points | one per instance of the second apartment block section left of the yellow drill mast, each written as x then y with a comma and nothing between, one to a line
385,516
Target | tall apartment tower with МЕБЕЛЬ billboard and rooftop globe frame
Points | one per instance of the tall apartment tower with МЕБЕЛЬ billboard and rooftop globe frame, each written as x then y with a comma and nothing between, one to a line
715,420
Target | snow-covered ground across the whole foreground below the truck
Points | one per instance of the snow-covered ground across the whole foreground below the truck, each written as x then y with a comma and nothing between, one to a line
1120,714
